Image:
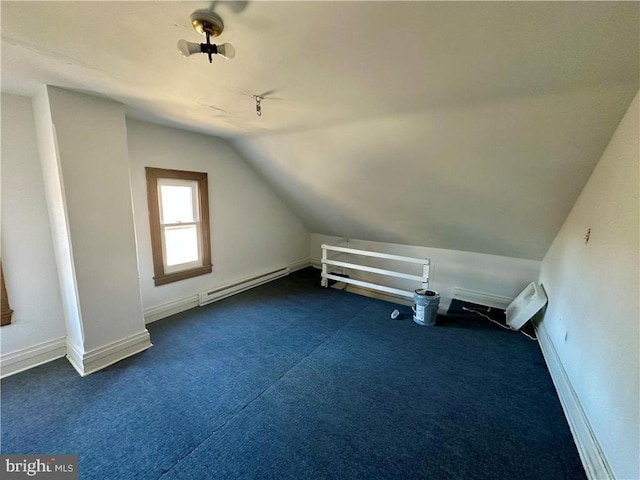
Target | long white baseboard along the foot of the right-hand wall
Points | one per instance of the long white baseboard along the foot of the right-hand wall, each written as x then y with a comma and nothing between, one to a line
591,454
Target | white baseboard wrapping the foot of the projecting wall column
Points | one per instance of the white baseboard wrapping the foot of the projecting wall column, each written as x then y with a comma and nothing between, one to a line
97,359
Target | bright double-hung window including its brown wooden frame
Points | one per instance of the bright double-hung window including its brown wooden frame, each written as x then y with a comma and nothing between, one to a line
179,220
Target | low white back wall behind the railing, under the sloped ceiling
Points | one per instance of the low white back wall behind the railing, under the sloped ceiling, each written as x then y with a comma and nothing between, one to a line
479,272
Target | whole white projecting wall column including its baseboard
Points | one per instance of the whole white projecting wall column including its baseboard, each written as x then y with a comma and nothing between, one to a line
83,150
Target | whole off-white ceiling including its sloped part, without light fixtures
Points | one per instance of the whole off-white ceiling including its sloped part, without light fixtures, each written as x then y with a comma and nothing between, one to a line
461,125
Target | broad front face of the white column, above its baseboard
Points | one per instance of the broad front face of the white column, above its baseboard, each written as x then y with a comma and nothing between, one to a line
94,173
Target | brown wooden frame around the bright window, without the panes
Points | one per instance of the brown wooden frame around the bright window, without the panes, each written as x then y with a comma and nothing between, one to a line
153,175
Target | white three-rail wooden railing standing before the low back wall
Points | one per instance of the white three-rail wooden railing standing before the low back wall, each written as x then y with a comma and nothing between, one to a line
349,265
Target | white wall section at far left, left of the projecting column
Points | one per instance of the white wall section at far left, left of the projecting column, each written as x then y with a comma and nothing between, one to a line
27,249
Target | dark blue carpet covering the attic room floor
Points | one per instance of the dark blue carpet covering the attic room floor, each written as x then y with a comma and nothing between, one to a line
292,381
